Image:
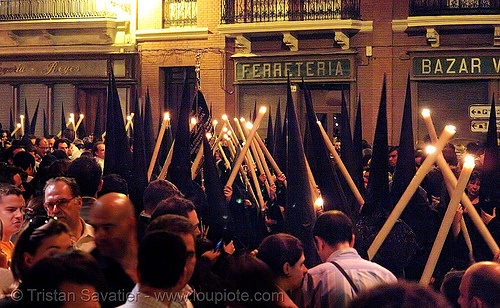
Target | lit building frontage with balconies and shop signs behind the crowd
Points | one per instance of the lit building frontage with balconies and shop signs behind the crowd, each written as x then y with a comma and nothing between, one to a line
241,50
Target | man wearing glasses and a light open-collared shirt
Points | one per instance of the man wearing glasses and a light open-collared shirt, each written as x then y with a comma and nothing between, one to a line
63,200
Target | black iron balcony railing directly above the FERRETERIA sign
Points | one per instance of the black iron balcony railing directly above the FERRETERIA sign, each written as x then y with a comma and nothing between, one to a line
250,11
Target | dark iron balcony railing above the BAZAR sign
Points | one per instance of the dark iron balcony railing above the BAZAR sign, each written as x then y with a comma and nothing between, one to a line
454,7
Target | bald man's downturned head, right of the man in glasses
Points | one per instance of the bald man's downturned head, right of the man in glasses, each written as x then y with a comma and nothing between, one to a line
112,217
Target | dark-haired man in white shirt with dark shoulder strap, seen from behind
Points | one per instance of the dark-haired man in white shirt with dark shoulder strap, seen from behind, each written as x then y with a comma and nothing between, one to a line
334,285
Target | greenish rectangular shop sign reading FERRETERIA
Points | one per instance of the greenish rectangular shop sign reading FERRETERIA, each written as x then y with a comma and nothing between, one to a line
279,70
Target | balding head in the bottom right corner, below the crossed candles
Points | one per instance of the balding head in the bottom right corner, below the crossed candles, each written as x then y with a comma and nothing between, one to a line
481,284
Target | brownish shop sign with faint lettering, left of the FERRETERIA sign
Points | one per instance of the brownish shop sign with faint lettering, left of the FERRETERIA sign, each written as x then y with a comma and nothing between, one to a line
83,68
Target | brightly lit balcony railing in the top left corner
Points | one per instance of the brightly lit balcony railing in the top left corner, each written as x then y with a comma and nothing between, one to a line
11,10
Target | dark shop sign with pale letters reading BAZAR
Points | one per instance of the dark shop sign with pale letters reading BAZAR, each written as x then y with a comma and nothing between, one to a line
457,66
